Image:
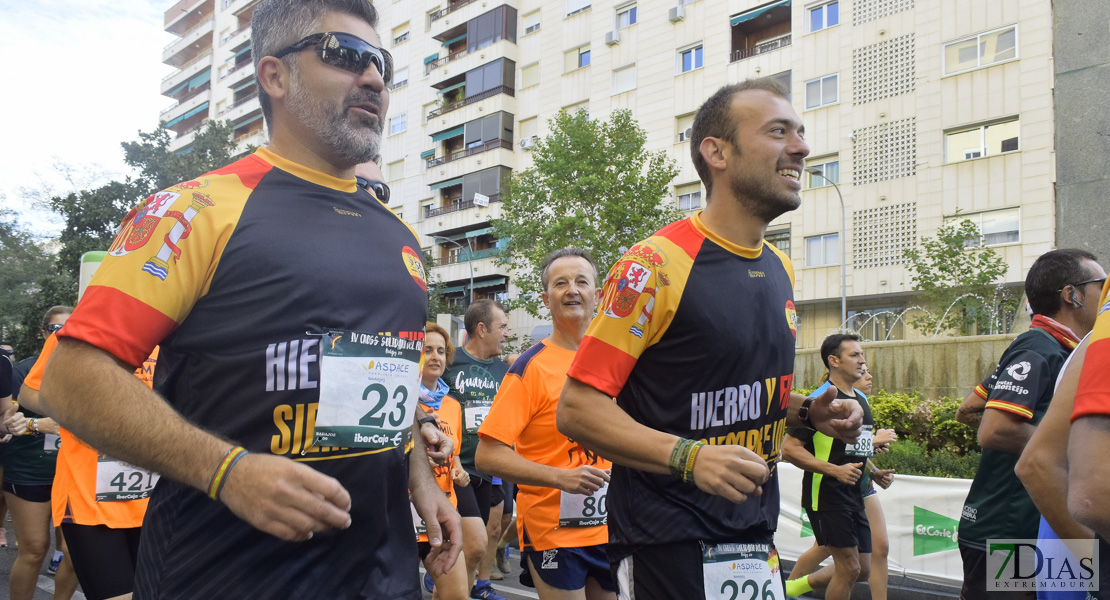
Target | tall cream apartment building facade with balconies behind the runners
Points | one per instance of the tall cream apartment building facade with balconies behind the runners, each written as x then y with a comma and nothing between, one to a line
920,110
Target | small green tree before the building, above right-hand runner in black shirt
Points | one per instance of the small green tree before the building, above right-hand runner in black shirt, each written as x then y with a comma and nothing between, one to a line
961,281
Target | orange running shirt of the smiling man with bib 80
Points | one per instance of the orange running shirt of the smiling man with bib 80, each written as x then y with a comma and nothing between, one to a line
523,415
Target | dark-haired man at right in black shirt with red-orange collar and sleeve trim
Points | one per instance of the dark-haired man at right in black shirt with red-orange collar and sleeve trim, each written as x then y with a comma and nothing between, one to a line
1063,288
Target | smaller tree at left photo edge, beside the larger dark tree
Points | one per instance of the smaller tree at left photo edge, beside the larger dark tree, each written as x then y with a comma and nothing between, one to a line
31,284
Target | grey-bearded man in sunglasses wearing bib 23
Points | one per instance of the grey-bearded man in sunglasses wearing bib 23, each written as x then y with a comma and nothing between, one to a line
290,307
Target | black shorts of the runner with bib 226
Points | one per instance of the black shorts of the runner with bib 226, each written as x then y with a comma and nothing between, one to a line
665,572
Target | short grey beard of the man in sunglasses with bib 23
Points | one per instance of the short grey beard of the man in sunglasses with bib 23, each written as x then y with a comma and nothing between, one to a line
352,144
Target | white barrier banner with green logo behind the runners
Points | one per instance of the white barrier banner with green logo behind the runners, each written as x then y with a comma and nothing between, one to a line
923,516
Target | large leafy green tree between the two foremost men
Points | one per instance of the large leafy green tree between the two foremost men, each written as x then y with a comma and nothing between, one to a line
592,186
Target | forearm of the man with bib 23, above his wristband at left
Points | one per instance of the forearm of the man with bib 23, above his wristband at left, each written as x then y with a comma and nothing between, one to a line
100,401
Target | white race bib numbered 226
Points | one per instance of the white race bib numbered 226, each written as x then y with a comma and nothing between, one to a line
742,572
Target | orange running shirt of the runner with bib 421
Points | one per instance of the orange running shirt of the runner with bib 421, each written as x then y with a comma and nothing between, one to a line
74,497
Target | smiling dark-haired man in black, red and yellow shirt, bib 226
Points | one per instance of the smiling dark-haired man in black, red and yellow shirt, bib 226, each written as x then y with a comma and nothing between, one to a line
695,339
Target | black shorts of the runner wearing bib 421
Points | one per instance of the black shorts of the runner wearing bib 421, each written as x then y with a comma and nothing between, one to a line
104,558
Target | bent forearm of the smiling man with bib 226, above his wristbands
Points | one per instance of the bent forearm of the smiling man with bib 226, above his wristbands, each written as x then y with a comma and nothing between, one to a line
593,420
